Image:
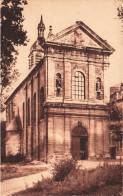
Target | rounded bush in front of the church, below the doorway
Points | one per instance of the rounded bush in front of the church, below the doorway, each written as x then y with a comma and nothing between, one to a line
63,168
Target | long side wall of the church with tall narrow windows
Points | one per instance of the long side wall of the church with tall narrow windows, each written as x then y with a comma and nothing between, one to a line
23,105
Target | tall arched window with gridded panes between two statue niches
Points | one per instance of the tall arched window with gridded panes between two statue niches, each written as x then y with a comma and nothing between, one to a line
79,86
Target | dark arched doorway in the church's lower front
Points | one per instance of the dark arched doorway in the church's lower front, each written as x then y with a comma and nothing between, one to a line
79,144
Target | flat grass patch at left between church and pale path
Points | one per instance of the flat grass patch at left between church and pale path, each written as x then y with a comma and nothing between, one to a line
16,171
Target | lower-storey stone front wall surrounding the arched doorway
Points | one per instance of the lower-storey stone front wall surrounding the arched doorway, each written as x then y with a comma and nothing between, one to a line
61,123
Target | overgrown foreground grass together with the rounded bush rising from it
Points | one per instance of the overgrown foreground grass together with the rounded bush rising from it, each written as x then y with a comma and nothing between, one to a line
104,181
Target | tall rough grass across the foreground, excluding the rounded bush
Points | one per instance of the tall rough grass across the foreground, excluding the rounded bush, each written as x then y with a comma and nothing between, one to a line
81,182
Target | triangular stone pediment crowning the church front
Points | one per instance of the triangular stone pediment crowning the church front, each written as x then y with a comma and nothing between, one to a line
80,35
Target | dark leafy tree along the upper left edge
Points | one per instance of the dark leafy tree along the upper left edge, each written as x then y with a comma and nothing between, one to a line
12,35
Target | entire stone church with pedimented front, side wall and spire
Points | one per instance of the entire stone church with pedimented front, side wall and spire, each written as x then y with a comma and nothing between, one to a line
59,110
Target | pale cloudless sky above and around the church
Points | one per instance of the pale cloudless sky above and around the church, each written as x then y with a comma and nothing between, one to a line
99,15
